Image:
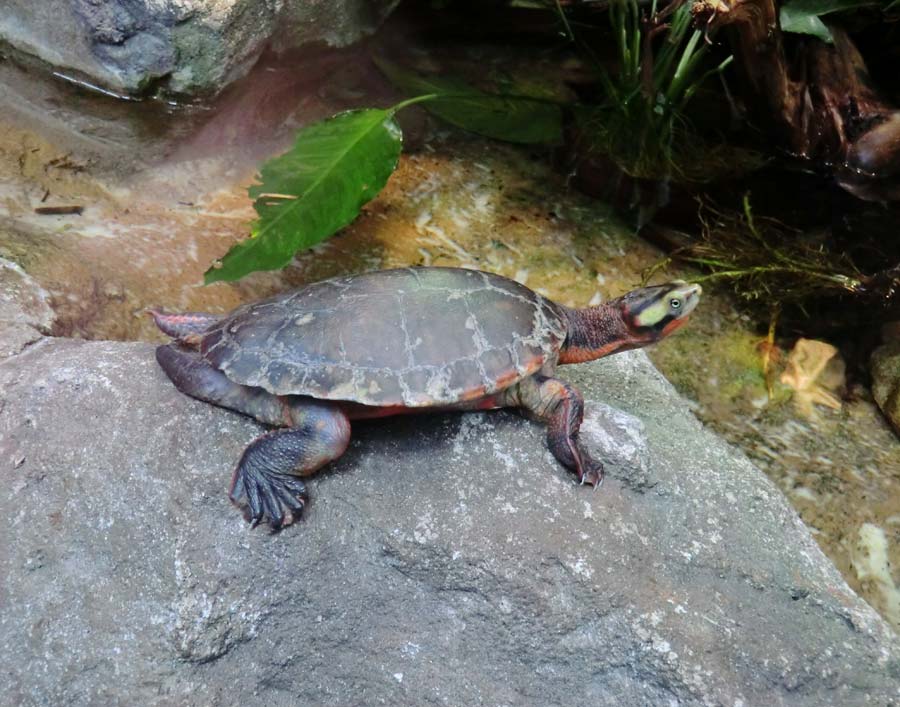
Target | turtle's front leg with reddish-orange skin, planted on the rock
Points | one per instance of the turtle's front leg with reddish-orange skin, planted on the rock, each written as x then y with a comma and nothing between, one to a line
561,407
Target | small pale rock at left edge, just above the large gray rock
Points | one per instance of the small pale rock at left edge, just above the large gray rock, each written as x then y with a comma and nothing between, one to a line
25,312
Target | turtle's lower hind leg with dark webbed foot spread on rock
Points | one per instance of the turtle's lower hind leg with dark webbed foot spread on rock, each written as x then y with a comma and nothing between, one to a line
268,470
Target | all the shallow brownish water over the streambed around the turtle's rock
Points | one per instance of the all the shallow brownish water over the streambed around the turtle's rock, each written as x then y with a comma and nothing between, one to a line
164,194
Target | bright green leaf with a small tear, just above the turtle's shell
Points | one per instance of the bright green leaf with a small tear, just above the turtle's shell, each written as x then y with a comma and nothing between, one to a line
318,187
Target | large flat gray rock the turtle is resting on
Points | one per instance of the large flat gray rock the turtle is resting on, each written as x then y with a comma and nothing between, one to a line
445,559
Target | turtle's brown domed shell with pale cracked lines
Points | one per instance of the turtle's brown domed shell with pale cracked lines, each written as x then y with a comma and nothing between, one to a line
412,337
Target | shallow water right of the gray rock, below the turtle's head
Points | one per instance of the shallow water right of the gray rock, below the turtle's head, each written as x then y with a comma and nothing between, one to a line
840,468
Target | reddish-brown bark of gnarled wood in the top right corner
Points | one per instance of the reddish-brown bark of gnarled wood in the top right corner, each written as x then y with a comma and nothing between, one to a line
818,99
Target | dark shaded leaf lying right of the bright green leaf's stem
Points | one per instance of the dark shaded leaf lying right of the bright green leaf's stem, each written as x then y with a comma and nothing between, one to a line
512,118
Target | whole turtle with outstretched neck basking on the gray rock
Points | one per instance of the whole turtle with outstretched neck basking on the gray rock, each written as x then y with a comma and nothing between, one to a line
307,362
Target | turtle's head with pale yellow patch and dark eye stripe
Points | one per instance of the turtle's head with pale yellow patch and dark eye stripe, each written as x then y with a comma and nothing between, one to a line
652,313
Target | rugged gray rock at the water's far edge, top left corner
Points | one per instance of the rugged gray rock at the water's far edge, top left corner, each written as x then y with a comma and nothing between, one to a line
181,46
